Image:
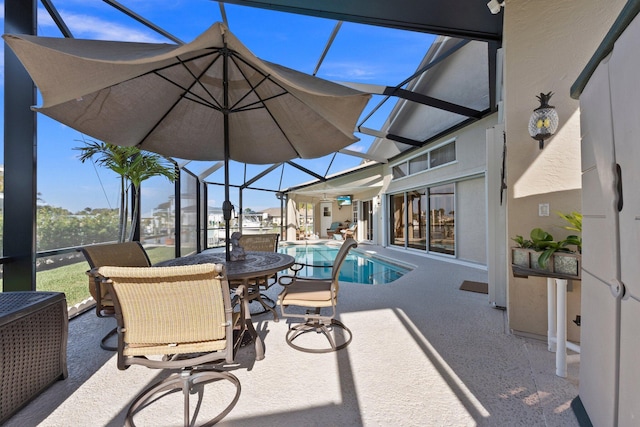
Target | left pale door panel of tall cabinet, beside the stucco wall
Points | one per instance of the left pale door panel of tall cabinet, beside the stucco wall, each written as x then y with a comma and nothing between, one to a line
599,308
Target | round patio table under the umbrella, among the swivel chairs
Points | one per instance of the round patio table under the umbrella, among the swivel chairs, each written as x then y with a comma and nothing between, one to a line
255,265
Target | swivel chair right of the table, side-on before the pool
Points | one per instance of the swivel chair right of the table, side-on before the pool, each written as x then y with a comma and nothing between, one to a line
312,295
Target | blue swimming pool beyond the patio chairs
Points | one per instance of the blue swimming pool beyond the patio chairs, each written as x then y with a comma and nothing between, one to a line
359,267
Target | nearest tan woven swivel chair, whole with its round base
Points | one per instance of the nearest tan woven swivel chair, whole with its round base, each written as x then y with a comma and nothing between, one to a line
189,322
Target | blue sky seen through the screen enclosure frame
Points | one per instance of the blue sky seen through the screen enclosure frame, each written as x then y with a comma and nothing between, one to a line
360,53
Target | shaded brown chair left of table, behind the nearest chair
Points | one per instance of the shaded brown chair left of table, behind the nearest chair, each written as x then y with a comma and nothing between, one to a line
127,254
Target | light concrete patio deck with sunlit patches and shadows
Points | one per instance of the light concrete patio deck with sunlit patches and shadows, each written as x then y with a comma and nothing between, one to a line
424,353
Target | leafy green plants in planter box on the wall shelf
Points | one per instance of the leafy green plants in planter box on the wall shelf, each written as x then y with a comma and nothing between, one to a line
550,257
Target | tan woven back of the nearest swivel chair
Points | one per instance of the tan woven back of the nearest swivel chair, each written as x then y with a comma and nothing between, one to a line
170,310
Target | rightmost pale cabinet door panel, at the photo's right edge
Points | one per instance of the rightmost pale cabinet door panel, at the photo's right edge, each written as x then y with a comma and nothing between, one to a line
625,100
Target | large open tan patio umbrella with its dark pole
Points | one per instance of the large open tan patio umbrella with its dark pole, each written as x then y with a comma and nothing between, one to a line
210,99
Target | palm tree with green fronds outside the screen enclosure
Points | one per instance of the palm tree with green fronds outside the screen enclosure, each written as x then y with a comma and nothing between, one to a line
134,166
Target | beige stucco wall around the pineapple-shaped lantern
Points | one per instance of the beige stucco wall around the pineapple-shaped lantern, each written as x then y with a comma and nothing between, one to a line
546,45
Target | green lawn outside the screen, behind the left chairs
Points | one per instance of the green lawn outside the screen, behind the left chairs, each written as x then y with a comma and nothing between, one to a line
72,280
